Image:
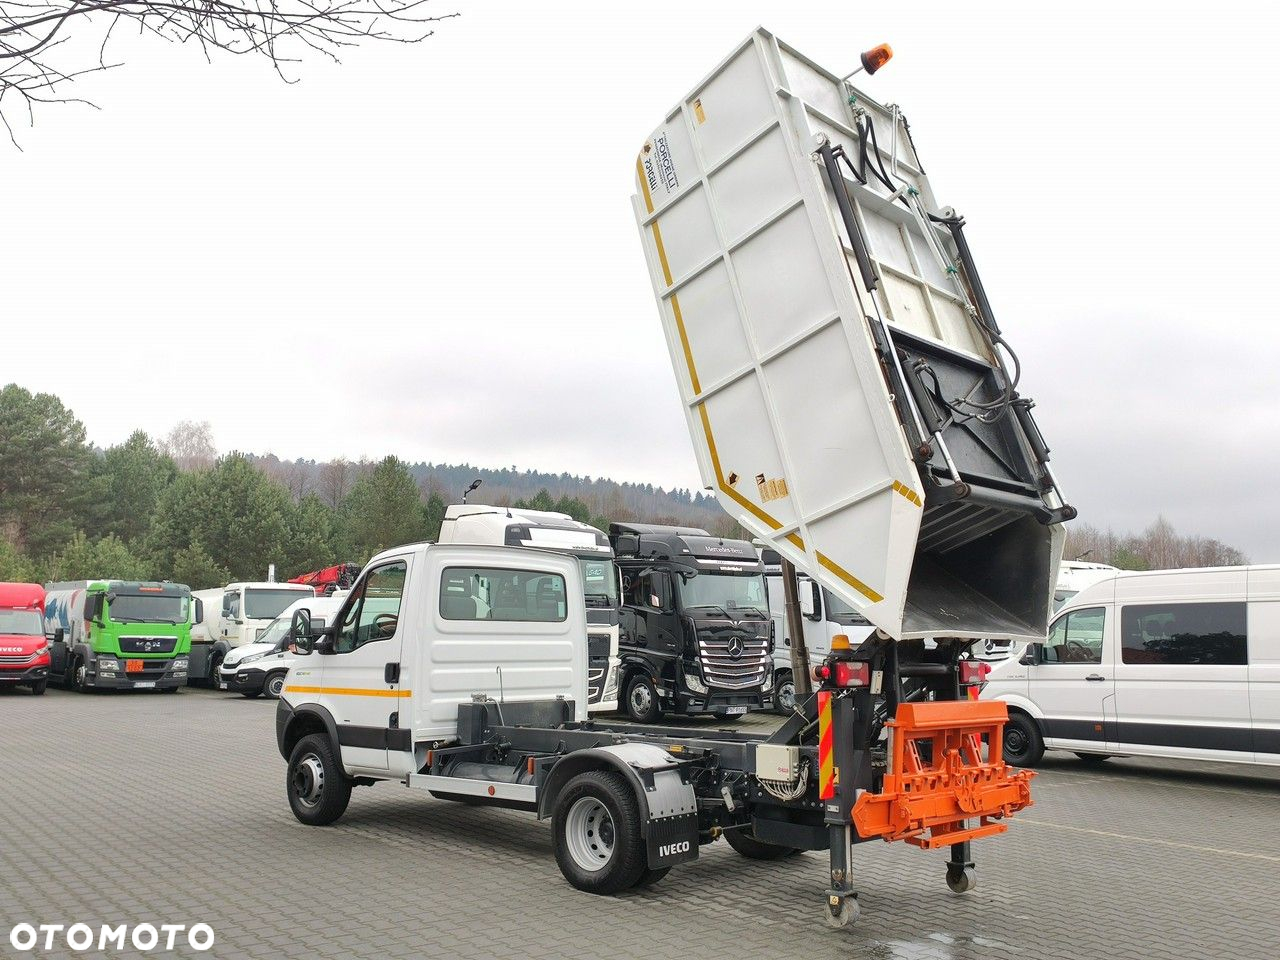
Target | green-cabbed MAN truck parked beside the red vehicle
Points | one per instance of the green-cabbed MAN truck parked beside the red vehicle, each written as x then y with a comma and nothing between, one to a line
118,634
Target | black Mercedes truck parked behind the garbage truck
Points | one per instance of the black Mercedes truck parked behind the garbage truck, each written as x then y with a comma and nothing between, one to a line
697,636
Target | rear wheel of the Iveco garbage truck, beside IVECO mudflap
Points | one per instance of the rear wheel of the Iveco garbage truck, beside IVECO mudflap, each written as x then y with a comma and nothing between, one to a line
597,830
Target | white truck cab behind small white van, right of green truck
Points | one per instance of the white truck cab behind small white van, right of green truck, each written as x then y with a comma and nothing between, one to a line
234,616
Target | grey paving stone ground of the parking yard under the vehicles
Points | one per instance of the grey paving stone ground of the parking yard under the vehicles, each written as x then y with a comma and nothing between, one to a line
132,808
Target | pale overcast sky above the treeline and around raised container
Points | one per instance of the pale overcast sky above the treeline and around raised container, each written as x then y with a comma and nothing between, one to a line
429,250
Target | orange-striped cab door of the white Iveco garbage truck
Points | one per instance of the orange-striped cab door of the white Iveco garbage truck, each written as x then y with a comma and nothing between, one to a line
362,684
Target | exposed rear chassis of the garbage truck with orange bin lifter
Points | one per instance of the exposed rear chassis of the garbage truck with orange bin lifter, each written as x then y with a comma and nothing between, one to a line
906,757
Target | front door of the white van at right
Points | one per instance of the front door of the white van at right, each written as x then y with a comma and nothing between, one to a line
1073,682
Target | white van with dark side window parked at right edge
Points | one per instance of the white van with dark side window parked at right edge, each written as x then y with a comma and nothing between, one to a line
1180,664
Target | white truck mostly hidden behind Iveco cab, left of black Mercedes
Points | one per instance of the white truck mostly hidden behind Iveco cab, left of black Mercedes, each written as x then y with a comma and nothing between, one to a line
514,527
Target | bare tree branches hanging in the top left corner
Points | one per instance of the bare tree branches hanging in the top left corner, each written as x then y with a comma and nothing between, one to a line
282,31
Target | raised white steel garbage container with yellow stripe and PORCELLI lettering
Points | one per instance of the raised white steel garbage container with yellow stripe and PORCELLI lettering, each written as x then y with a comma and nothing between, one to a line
816,351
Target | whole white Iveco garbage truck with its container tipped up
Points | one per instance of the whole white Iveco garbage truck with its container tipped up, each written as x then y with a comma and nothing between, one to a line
848,403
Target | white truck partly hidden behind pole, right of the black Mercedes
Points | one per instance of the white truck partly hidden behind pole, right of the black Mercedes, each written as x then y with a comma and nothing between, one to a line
825,618
